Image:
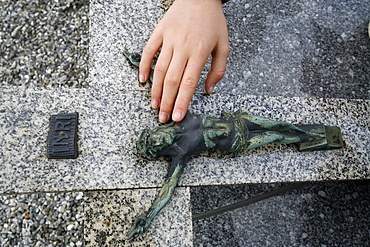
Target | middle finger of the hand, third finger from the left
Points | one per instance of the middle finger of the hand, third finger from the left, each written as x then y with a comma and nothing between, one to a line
171,86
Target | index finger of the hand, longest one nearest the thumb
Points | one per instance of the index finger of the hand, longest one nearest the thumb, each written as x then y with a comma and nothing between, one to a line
187,88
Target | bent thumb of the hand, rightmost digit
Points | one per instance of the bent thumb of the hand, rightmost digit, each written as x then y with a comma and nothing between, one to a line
218,67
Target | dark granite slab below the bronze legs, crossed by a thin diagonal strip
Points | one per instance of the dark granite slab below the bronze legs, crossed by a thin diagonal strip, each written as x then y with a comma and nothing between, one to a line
317,214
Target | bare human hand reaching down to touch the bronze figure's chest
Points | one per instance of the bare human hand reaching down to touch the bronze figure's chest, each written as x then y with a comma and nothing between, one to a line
188,33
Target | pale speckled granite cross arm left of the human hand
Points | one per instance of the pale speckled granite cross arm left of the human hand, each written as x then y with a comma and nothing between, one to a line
116,26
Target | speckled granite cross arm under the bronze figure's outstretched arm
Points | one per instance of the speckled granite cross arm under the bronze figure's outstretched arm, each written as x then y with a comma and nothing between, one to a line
109,215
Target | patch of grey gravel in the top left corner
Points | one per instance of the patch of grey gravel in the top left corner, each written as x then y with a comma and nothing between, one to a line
44,43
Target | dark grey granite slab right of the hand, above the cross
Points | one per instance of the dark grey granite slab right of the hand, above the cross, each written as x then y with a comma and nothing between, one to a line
298,48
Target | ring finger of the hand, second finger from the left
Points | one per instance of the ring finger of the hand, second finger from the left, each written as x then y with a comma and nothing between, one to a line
160,71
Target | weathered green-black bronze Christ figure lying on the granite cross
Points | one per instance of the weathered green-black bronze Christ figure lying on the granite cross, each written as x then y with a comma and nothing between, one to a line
232,132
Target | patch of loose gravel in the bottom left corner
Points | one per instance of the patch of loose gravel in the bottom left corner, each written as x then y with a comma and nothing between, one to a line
47,219
